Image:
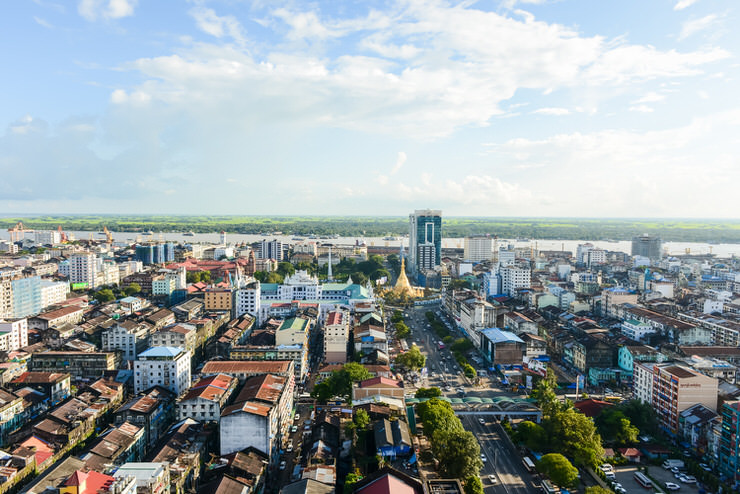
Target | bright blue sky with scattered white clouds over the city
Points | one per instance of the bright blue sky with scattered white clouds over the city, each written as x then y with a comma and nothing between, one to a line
557,108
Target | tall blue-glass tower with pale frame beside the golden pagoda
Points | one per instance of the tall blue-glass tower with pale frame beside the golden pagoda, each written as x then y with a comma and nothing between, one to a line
425,239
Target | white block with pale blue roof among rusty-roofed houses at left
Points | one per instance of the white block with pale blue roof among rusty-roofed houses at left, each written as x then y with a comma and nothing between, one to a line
168,367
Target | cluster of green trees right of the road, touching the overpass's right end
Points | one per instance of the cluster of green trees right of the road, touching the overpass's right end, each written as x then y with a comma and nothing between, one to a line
563,429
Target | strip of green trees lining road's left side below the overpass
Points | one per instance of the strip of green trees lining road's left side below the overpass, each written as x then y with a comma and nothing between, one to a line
456,449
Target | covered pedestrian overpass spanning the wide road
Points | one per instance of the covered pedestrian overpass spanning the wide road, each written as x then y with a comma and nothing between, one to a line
499,407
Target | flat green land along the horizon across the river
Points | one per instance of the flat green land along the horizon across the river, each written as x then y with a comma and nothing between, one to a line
373,226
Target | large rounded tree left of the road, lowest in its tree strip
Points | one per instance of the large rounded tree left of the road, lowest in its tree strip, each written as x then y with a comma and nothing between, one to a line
458,453
